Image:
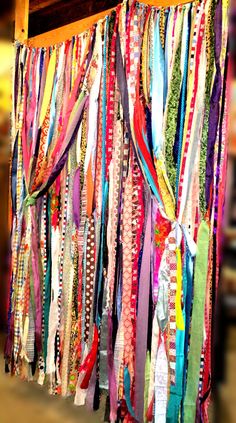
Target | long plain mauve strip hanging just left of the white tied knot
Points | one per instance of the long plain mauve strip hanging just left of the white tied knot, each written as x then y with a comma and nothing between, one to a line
142,319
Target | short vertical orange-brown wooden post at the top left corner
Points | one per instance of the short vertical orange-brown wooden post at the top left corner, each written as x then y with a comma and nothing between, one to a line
21,20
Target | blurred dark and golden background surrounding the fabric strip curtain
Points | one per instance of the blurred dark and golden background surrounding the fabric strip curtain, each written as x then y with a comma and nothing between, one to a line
29,402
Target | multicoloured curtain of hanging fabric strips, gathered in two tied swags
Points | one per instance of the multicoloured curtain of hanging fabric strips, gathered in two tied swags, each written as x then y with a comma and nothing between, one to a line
117,192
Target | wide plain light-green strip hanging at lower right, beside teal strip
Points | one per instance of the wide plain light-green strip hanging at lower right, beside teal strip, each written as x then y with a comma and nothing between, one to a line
197,326
